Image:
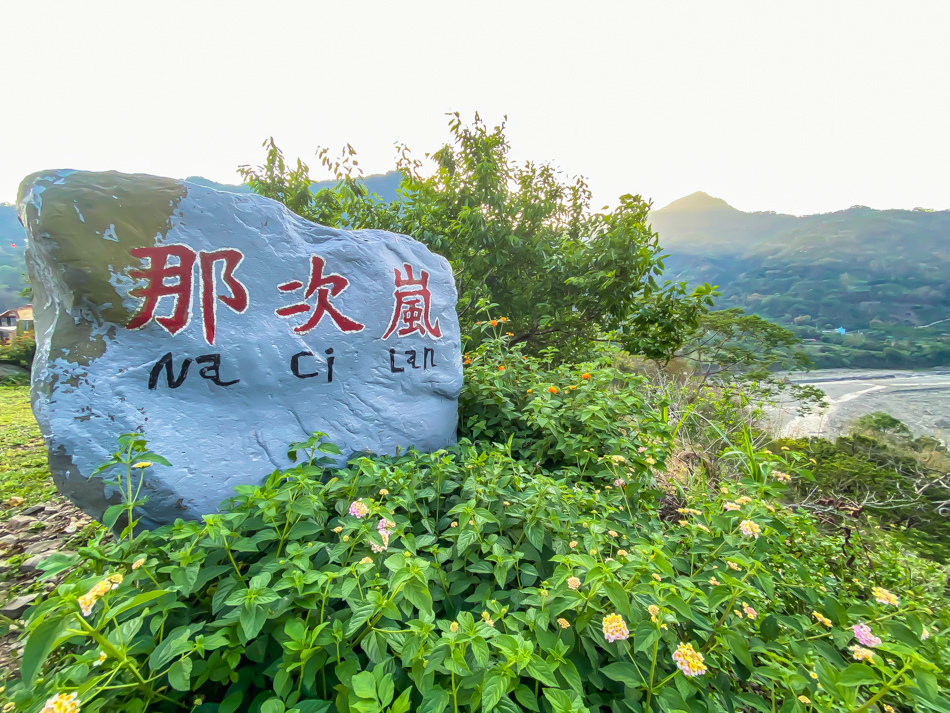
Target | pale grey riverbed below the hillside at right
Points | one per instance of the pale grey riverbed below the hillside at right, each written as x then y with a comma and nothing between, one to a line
921,399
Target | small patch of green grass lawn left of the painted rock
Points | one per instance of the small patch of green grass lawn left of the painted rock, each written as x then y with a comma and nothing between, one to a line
23,468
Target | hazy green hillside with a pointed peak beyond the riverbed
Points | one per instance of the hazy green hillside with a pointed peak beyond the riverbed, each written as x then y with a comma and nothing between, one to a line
882,275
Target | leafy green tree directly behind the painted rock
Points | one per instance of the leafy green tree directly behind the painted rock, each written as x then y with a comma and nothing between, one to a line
518,235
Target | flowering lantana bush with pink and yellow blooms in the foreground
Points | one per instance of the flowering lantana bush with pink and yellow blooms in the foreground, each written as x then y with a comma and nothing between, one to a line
536,566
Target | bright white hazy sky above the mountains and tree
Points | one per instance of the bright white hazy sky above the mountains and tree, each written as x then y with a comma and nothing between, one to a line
790,106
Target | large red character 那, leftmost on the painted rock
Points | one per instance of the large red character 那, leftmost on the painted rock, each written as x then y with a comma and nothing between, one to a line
175,280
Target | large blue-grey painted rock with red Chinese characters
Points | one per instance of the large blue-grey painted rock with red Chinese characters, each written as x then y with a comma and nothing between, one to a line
223,327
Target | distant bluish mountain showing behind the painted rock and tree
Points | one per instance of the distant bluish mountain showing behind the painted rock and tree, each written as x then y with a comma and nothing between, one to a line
13,239
